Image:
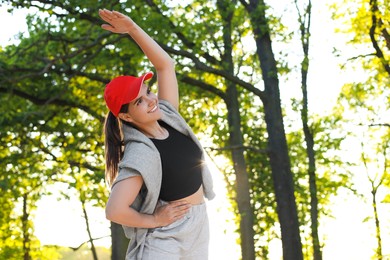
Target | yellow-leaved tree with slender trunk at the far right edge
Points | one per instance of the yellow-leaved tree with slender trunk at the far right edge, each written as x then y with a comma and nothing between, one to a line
368,24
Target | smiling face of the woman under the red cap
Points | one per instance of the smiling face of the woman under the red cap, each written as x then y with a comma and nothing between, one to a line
144,109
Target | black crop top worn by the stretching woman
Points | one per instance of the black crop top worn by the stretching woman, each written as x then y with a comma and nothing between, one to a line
181,165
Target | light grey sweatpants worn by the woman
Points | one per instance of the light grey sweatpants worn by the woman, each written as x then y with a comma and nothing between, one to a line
185,239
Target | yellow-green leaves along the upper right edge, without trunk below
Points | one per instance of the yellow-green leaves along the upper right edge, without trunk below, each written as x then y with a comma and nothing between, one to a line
369,97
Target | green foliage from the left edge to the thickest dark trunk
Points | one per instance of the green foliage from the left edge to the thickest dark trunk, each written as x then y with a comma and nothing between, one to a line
55,78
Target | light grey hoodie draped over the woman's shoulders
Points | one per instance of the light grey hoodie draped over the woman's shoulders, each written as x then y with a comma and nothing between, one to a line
141,157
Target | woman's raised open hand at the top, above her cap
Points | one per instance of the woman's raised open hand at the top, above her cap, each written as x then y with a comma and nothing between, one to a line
118,22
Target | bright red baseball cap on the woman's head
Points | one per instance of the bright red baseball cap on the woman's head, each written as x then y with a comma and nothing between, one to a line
122,90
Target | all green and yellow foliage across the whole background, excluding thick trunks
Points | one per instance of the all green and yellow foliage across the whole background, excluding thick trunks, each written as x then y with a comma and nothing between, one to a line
52,82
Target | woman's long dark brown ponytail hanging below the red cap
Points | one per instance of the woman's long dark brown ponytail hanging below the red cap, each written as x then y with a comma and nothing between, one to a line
113,143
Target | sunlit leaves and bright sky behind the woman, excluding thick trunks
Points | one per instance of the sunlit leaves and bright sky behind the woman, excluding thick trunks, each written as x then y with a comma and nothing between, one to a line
347,81
